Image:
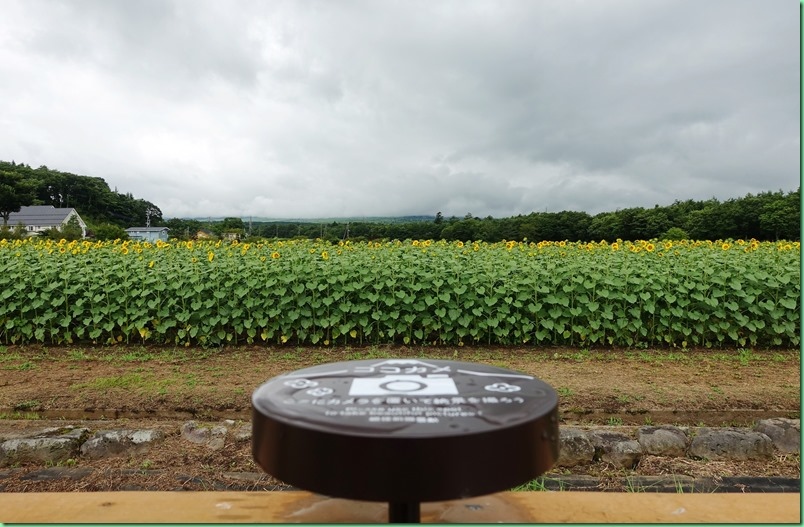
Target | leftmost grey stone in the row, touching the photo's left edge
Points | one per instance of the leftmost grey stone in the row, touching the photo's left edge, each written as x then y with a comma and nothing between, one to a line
49,447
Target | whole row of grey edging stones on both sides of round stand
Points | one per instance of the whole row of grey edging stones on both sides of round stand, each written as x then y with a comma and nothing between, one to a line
577,446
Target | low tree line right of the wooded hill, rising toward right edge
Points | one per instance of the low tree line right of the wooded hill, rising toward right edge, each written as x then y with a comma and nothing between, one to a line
766,216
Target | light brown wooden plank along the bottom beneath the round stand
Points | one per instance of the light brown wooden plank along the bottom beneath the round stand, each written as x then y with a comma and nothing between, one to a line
291,507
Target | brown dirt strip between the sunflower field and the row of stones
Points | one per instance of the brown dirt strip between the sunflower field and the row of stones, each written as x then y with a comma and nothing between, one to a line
635,387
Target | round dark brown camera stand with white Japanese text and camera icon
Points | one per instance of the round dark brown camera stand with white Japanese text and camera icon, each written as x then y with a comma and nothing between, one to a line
405,431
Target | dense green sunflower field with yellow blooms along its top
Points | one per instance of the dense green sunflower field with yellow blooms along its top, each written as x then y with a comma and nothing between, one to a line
731,293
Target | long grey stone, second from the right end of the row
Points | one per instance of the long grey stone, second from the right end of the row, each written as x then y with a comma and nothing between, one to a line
735,444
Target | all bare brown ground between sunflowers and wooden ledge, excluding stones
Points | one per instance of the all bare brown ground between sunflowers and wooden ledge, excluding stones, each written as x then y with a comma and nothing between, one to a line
136,387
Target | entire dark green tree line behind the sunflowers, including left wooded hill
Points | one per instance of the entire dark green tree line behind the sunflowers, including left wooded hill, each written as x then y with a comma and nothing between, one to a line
766,216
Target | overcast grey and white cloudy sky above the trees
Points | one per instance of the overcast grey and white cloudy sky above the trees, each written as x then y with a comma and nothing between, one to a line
381,108
